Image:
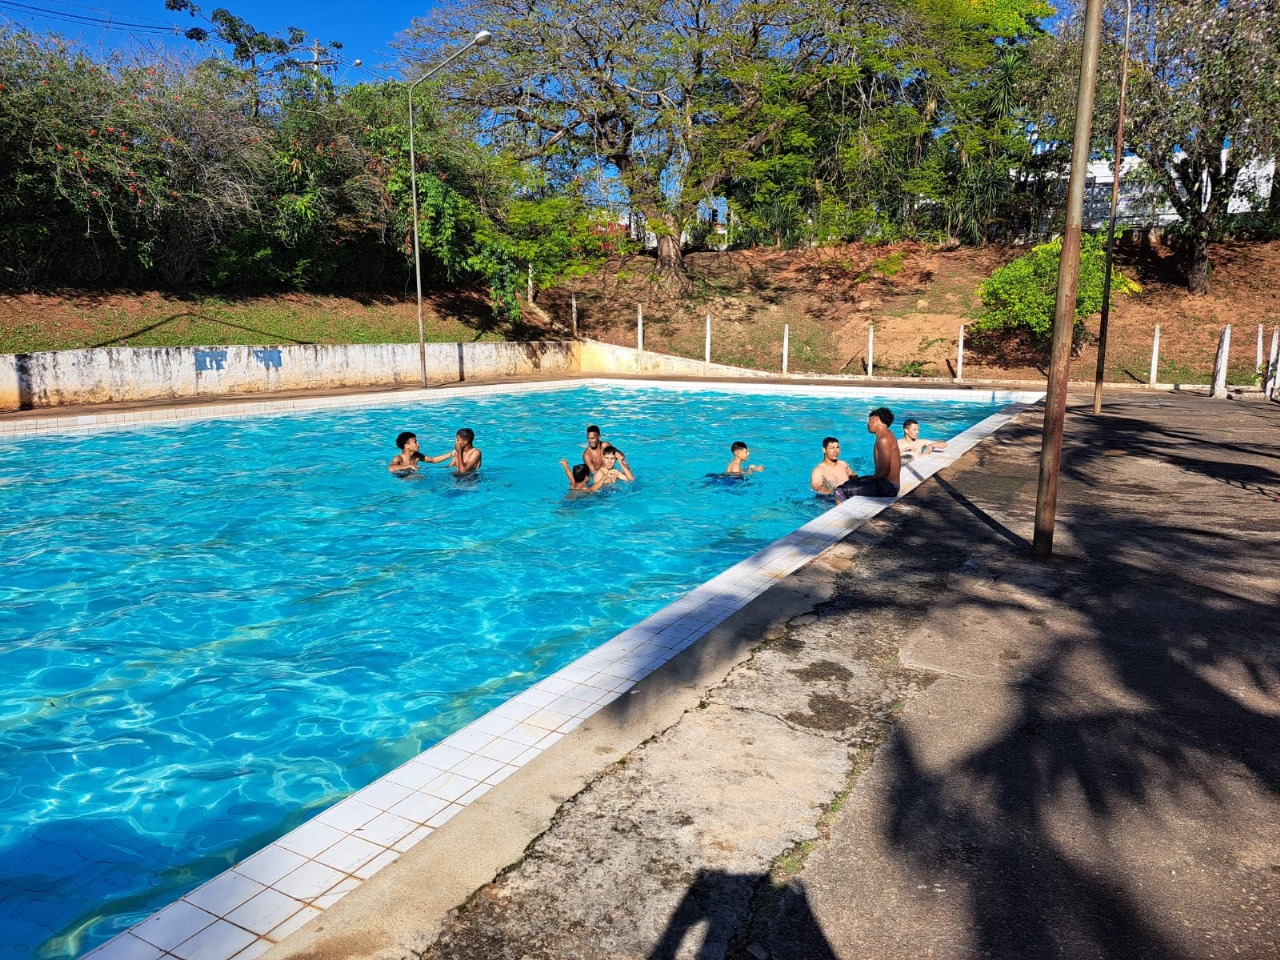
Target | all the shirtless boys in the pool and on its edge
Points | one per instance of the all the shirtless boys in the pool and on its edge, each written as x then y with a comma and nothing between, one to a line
604,464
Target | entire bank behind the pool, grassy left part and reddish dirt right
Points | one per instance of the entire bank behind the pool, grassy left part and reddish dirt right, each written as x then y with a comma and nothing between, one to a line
829,300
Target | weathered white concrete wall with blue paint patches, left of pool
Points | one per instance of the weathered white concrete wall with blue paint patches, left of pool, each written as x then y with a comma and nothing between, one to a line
124,374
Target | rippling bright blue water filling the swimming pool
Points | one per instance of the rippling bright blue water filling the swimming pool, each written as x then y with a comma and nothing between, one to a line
212,632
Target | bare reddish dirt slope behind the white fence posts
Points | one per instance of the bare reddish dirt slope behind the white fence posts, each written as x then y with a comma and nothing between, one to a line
917,299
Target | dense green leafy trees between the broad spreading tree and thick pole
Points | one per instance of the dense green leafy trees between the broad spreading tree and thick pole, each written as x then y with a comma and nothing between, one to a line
918,139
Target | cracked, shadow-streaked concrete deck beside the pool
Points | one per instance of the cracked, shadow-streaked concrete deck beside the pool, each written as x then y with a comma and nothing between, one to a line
931,748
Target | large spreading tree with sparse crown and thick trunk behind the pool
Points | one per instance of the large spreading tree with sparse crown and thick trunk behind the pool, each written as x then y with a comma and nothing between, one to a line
664,99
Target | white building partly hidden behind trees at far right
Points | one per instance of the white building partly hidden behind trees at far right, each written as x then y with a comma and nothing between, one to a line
1142,203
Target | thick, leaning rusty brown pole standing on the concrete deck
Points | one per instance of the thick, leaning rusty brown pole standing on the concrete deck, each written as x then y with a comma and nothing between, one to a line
1068,278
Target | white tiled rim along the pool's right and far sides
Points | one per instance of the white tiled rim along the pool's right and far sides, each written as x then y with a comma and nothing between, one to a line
248,909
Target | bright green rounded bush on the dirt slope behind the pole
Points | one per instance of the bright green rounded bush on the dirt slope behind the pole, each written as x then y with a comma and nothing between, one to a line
1022,296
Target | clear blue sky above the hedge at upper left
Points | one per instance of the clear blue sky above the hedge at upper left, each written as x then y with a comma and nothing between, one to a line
364,29
